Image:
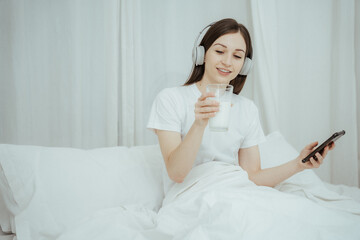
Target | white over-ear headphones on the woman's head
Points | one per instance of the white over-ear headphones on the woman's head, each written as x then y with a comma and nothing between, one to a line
198,53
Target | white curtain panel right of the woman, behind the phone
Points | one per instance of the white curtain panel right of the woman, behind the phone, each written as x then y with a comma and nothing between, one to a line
306,77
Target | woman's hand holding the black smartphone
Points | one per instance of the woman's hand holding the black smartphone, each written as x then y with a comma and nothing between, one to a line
320,157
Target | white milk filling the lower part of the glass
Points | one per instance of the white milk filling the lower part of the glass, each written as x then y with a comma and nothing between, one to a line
220,122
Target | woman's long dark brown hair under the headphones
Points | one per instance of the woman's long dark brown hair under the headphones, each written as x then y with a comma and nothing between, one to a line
218,29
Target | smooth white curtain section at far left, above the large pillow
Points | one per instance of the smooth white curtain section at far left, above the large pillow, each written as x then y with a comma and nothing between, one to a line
59,72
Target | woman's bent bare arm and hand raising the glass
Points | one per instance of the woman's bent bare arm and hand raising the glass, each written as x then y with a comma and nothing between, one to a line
179,156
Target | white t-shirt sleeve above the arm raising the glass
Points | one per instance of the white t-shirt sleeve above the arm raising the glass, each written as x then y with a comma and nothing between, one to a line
165,114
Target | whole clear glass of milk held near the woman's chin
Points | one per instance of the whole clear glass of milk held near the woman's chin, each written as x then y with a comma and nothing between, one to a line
223,93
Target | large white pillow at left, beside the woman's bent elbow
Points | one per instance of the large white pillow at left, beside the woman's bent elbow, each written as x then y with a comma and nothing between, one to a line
49,189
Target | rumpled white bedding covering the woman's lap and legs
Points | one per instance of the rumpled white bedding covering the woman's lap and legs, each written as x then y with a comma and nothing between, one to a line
217,201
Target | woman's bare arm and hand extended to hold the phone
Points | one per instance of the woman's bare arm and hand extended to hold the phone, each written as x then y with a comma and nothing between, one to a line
249,160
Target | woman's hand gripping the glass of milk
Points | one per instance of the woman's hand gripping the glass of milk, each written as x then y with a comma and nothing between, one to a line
205,108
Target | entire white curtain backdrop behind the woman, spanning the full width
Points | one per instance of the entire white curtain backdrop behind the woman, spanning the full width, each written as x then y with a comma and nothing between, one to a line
85,73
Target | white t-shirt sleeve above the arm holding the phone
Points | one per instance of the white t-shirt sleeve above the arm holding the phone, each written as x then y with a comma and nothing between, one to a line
255,134
